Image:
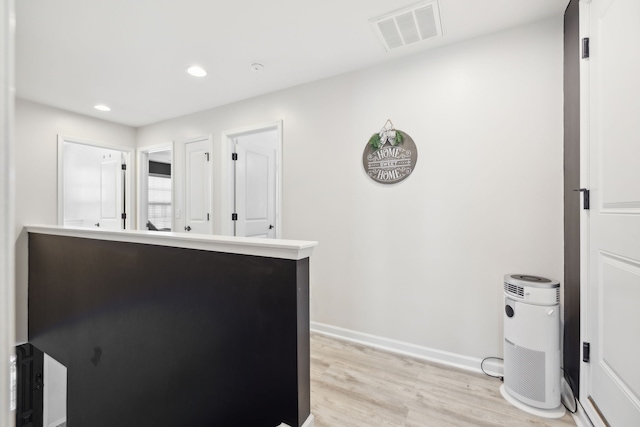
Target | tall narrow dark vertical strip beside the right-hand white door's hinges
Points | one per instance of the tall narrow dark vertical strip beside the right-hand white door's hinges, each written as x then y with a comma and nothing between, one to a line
572,204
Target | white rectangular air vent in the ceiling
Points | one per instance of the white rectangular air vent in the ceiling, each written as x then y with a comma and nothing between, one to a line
406,26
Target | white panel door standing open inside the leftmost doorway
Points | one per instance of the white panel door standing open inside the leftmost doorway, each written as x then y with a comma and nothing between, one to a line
111,199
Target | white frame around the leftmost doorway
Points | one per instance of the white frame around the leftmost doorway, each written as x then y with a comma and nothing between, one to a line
129,196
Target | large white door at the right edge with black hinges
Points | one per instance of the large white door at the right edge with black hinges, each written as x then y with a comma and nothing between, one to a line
613,310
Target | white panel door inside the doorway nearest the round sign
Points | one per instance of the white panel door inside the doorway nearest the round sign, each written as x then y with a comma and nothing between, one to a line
255,190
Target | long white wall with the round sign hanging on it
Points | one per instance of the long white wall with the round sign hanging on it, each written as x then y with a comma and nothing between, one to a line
421,261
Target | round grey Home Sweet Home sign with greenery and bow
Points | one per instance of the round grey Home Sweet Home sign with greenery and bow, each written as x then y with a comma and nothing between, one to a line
390,155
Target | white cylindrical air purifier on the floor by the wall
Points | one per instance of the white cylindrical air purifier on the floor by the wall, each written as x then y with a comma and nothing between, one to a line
532,345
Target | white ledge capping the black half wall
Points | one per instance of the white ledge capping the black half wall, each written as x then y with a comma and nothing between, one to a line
272,248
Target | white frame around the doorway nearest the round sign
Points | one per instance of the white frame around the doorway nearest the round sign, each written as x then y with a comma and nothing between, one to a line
227,188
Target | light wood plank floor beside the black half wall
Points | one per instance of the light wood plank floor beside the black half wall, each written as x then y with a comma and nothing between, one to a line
359,386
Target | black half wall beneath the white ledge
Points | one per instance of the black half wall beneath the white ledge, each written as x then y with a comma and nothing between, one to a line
159,336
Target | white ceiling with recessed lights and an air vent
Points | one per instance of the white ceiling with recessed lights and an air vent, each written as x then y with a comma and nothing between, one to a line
132,54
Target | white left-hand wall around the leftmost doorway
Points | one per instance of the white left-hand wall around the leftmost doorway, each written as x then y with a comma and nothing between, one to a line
36,163
